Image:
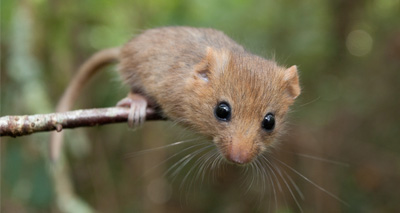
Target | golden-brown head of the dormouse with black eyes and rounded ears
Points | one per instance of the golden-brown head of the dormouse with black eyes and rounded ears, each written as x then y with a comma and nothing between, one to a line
241,101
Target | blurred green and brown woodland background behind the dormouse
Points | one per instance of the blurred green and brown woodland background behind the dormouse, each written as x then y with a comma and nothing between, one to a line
348,53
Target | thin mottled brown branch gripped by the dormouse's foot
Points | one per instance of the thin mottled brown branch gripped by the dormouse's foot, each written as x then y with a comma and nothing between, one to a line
15,126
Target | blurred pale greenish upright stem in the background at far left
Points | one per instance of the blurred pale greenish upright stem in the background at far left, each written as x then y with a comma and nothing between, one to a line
26,70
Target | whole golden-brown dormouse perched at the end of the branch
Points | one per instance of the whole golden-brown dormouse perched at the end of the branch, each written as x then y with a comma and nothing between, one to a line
203,80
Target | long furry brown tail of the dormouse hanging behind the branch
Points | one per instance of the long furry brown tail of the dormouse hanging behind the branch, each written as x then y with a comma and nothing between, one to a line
85,72
